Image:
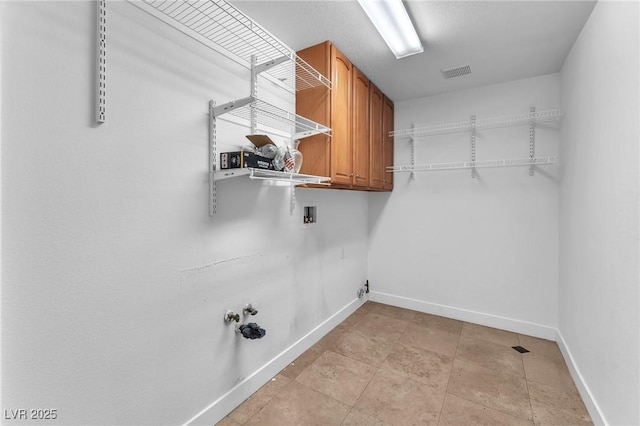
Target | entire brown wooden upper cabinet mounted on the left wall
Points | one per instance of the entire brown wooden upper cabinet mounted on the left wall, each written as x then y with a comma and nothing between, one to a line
353,156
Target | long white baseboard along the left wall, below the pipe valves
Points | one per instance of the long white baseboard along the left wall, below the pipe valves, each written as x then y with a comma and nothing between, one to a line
218,409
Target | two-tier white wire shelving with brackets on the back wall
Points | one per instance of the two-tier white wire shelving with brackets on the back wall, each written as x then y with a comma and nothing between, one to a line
472,126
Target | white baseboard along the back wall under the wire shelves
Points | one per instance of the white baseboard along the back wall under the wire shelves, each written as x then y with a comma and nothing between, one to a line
509,324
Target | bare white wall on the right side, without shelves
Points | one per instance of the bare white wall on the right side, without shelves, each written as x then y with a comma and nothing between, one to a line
599,280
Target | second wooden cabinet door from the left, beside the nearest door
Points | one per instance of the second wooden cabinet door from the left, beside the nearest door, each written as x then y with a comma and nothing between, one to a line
360,129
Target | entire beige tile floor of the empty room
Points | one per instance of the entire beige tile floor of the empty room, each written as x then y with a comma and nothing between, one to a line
391,366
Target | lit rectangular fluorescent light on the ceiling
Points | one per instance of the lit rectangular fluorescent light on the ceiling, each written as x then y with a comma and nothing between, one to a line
392,22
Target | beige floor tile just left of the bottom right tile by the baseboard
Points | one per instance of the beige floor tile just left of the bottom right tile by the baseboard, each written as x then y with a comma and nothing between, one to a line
502,392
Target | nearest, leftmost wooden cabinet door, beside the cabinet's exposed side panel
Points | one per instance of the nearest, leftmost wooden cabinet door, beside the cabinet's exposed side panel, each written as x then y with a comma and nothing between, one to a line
341,150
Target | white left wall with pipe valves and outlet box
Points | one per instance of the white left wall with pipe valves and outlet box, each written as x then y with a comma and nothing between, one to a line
114,277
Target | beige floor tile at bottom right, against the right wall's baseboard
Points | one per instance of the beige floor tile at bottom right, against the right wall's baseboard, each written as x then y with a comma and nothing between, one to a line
553,406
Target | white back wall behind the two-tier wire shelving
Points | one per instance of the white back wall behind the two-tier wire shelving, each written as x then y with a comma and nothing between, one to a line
483,249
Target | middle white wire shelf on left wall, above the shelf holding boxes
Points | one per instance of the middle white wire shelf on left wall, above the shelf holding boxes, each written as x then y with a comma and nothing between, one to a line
273,117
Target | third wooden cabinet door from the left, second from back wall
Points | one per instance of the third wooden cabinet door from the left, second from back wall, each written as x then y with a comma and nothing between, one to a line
376,161
